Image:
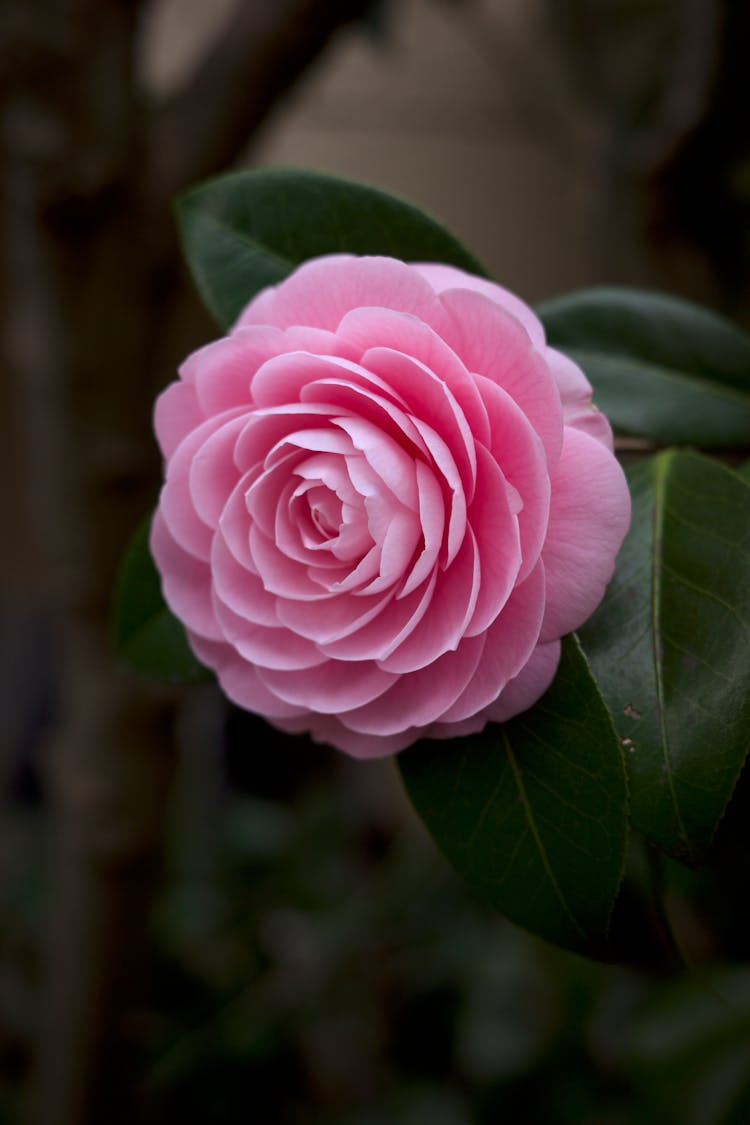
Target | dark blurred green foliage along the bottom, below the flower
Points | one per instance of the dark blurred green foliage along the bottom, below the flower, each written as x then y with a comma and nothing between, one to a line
315,961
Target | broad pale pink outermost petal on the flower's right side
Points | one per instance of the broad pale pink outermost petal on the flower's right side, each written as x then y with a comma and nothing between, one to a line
590,515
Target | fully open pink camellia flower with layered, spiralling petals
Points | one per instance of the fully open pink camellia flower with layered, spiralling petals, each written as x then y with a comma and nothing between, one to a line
386,502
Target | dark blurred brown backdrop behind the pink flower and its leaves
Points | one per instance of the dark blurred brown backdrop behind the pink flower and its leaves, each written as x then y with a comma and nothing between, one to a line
202,921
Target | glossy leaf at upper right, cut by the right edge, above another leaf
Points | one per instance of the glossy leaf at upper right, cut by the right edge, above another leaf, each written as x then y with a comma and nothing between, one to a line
662,367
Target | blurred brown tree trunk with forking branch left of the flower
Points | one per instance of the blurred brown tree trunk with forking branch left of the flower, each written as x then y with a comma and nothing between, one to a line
95,316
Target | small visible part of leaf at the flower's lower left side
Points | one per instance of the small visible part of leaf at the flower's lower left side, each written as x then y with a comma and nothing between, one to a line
148,637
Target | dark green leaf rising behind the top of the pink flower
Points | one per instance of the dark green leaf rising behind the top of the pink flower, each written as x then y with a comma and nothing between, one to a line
249,230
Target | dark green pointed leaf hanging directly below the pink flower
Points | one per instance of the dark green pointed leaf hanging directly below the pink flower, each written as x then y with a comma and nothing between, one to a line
534,814
